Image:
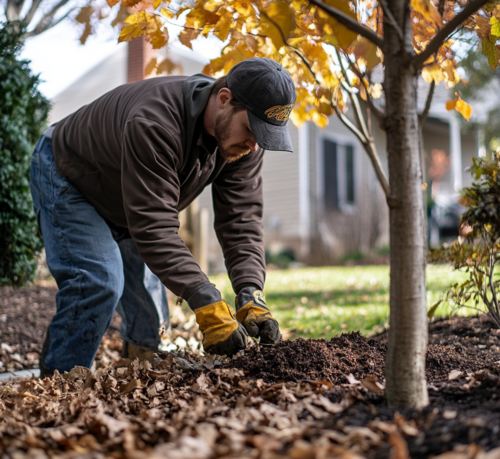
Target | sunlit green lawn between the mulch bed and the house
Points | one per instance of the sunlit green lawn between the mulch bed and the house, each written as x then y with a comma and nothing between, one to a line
323,302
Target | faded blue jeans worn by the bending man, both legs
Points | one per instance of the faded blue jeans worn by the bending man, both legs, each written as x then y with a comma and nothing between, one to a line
96,271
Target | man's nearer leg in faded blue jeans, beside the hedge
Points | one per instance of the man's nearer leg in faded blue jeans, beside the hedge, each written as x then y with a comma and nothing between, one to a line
85,261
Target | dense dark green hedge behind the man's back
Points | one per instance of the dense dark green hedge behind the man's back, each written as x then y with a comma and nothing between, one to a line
23,115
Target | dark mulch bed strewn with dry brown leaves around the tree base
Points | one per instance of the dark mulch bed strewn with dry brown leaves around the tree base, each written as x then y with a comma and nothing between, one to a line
300,399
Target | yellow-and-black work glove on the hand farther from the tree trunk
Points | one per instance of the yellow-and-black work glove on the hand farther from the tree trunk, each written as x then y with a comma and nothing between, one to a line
222,334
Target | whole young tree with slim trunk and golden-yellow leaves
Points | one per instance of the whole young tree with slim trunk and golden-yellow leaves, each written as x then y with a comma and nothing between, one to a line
331,49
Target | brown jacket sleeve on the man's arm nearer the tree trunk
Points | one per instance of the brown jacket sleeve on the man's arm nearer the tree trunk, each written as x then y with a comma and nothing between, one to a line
238,206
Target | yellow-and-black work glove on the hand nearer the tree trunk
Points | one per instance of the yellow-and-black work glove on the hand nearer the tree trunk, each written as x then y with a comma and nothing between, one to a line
252,312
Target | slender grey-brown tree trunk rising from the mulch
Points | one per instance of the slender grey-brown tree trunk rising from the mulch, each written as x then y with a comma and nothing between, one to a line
405,366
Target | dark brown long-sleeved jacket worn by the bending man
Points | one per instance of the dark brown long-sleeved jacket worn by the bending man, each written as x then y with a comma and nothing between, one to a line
138,155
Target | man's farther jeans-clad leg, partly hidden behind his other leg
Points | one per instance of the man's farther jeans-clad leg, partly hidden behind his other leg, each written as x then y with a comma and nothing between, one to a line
143,306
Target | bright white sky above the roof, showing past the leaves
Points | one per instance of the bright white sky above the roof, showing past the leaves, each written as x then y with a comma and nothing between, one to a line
60,59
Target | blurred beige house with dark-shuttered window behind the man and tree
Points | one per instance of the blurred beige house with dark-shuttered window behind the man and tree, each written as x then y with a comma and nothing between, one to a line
320,202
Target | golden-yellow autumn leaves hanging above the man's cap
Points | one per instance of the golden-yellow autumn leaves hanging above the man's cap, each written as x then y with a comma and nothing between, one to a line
307,40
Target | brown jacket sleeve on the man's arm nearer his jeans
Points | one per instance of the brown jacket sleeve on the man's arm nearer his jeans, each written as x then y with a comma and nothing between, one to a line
151,188
